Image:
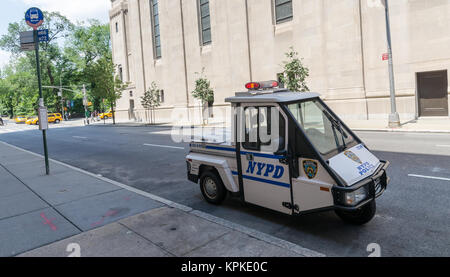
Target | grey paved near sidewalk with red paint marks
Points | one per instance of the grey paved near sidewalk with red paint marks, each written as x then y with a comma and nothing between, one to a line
46,215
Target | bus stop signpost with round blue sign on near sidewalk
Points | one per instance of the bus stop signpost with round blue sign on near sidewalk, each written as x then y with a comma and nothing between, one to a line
34,18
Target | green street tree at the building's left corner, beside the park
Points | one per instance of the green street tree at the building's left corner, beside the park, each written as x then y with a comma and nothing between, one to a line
108,85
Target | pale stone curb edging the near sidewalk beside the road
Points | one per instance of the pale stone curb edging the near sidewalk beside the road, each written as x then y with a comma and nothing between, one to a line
223,222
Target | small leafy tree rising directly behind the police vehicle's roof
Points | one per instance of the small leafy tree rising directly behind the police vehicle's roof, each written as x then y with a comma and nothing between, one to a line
295,73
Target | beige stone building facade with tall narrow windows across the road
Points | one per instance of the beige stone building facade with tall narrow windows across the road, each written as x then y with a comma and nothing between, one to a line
170,42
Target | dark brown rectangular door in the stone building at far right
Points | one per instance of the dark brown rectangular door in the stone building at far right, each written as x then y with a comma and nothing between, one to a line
432,93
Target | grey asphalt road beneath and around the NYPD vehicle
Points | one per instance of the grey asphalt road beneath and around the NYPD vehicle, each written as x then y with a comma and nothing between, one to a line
412,217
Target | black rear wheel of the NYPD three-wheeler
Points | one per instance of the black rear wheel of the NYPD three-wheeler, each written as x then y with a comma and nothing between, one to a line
212,188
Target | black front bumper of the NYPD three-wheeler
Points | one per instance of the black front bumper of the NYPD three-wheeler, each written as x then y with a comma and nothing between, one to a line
375,187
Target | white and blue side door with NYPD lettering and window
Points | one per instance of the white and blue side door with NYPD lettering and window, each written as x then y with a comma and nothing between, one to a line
265,172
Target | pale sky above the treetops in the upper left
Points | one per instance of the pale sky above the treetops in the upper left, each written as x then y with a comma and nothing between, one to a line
75,10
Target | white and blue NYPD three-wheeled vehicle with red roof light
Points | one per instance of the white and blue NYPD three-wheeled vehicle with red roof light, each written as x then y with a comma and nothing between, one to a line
292,154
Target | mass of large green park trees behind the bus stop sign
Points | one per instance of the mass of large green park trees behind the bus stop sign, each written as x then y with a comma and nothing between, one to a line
71,58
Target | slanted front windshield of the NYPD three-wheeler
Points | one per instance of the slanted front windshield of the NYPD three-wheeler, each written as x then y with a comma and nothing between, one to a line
323,130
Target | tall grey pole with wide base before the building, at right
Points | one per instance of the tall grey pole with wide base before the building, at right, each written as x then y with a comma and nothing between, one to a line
394,118
